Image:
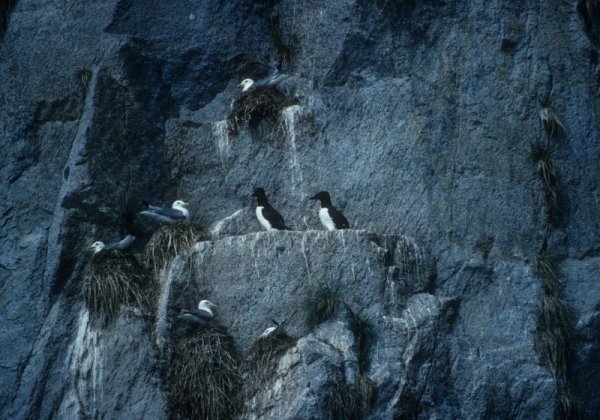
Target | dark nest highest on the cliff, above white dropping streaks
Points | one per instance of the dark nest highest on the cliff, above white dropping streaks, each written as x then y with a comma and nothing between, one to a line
263,103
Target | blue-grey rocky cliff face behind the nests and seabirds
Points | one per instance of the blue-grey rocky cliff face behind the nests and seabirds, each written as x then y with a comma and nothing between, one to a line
418,117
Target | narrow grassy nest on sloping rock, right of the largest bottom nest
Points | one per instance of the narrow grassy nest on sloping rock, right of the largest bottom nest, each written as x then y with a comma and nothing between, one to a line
261,363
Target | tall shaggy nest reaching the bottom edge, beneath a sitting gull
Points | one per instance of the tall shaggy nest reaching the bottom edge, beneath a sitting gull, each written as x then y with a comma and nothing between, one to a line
204,380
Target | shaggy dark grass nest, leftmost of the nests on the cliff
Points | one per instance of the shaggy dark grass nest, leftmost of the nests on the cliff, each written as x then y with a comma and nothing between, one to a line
111,279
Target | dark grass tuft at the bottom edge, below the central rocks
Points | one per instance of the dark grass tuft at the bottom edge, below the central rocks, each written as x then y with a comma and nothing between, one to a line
350,401
